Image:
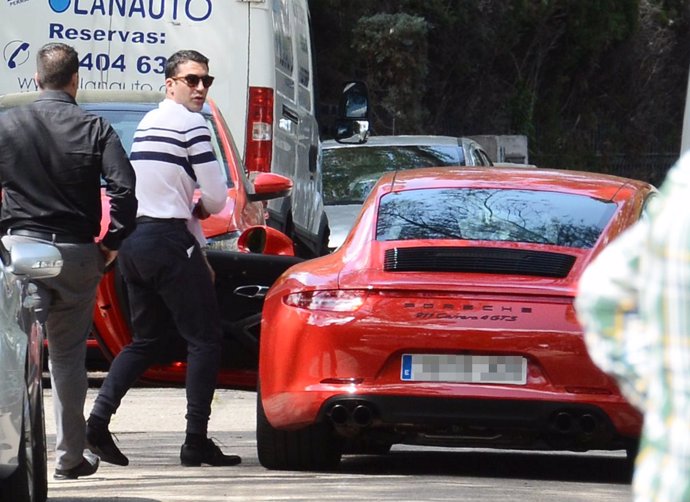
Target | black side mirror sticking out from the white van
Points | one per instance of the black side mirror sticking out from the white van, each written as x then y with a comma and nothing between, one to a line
352,123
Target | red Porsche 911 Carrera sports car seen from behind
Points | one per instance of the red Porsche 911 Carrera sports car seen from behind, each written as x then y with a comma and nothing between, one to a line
446,318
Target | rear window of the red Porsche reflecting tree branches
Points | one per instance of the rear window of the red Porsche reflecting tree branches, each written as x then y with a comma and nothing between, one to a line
531,216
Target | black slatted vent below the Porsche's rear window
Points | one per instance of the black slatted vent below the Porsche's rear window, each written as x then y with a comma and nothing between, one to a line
478,260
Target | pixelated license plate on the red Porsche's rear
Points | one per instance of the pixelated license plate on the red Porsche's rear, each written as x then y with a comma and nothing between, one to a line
464,368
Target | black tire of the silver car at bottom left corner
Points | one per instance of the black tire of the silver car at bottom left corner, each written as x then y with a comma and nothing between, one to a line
29,482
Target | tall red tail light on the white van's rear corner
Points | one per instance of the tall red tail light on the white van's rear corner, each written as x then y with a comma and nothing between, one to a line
259,130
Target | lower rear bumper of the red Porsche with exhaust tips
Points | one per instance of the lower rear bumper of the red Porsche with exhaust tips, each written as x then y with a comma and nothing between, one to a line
546,422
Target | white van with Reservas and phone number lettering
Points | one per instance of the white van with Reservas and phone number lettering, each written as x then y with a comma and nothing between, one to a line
260,52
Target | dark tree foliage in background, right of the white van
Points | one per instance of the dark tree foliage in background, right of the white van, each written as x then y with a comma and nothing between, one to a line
596,84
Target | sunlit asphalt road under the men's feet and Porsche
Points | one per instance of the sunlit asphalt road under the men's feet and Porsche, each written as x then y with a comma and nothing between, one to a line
150,425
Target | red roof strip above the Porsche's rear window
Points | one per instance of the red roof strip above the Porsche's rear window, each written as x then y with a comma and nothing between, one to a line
603,186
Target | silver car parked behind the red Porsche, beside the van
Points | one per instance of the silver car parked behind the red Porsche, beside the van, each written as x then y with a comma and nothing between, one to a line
351,170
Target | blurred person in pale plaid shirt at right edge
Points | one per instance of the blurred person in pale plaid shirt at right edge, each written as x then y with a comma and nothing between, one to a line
634,304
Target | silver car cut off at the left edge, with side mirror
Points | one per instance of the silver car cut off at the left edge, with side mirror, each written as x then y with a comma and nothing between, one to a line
23,469
